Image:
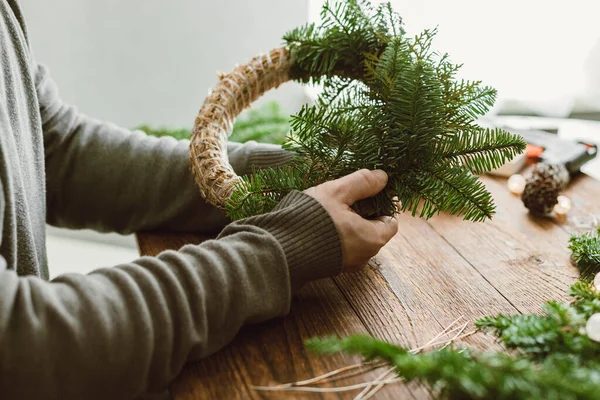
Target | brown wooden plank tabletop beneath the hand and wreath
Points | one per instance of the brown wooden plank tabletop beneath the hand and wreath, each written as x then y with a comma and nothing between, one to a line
431,273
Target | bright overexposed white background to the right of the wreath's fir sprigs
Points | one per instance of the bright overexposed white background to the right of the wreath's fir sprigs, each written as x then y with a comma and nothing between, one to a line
543,56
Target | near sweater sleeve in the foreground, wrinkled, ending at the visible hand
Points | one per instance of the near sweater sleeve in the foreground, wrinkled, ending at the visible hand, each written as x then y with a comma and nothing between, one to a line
125,331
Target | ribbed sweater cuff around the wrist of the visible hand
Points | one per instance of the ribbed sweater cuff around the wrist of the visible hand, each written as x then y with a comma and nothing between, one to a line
308,236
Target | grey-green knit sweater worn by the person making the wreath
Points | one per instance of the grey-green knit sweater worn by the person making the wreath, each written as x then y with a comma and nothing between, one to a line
124,331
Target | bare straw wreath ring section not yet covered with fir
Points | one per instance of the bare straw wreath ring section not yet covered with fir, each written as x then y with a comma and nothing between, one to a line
234,92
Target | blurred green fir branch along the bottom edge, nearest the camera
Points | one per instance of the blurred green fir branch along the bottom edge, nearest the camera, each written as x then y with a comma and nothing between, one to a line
472,375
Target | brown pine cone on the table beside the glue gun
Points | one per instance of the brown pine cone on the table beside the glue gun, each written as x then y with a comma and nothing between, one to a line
542,188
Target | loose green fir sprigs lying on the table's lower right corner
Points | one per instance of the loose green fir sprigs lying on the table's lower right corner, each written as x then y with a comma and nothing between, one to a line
552,358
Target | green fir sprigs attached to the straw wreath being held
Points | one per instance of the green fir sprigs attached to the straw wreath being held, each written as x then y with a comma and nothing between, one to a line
389,102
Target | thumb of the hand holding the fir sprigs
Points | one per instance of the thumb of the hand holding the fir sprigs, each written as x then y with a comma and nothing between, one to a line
361,185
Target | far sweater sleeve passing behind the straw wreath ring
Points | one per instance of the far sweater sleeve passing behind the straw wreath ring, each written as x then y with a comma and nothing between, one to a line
103,177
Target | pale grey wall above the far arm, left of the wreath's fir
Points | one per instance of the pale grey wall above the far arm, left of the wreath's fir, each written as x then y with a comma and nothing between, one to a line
153,61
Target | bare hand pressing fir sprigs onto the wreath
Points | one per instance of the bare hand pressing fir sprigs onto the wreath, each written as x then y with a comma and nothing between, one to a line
361,238
